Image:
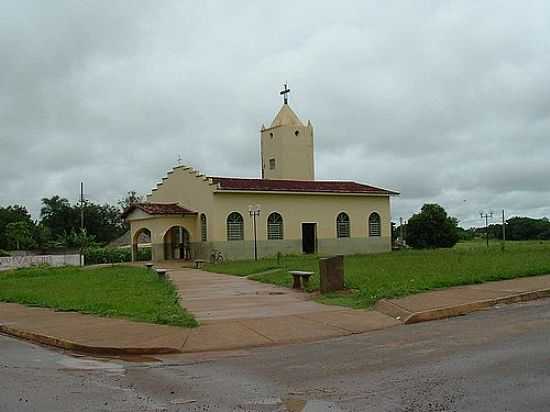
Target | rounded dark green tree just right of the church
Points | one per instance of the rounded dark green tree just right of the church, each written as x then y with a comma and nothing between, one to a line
432,228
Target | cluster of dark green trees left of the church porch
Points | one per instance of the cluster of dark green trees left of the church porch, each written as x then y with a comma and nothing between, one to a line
59,225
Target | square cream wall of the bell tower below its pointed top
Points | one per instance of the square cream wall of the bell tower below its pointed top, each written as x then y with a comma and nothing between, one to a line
293,154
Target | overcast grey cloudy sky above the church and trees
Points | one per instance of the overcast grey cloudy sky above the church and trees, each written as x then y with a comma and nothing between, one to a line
446,102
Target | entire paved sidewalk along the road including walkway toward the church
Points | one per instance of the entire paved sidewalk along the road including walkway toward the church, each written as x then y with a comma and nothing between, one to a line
237,313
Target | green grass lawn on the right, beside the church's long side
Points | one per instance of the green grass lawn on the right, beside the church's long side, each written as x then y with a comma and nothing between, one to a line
394,274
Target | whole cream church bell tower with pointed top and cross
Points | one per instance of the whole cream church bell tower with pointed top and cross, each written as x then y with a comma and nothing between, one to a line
287,146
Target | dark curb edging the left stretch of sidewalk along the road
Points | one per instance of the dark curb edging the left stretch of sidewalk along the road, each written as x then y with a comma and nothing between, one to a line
87,349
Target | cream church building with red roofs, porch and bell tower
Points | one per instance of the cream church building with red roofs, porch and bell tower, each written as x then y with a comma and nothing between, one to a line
190,215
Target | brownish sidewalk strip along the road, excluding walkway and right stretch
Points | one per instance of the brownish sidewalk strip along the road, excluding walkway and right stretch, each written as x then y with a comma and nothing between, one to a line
92,334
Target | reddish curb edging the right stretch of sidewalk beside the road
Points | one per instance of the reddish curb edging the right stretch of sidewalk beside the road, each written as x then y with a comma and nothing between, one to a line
392,309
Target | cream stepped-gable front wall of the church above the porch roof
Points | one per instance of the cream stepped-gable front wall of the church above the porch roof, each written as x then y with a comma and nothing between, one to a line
190,189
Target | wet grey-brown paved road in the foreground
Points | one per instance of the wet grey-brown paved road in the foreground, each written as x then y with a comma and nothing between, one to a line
497,360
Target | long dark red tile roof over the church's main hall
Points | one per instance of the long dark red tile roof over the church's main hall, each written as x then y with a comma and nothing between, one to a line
327,186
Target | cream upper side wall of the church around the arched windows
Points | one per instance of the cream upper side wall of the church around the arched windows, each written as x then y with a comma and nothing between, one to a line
301,208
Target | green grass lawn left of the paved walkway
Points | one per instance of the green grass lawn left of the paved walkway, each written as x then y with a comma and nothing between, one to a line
119,291
